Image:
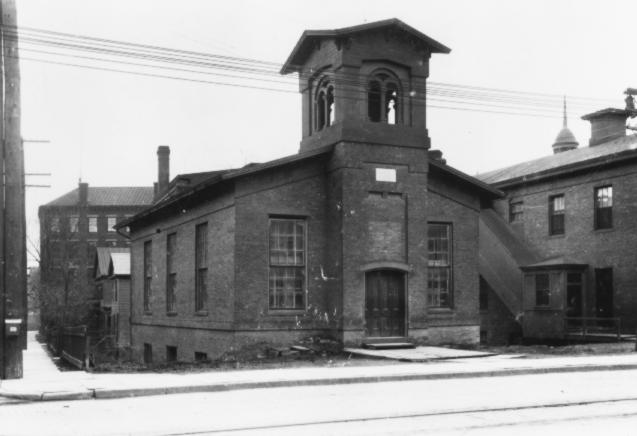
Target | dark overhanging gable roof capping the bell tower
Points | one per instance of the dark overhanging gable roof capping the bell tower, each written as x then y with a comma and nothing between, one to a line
309,38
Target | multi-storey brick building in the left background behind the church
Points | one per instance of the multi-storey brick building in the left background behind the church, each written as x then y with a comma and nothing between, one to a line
71,228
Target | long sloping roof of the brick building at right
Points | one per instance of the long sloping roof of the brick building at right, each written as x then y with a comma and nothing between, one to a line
567,161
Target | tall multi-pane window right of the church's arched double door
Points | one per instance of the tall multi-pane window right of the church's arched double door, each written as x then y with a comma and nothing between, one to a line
439,292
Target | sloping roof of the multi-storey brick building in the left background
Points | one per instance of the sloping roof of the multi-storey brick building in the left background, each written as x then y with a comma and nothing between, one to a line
108,196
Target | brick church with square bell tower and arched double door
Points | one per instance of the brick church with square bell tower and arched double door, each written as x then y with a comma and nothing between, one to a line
364,234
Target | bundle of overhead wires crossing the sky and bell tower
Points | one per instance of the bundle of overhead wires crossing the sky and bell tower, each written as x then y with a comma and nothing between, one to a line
251,70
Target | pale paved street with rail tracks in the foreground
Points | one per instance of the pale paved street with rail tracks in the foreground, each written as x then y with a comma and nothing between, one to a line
573,403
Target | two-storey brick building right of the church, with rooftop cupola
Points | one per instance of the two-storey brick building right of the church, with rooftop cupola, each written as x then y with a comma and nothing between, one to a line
563,238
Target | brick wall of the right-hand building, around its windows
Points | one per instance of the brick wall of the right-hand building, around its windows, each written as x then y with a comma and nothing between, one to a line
597,248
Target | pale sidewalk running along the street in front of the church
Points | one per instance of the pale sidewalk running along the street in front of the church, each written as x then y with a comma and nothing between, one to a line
43,381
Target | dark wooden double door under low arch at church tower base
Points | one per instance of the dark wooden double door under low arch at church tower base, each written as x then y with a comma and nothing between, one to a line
384,303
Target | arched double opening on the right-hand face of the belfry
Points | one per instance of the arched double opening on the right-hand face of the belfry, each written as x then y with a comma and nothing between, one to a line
383,105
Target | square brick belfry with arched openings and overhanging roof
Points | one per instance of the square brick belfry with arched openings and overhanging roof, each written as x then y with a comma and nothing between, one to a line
364,83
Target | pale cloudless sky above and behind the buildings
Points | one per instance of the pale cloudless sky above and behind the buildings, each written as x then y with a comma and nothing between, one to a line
104,127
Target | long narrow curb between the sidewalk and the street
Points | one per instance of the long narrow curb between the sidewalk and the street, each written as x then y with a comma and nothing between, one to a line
221,387
